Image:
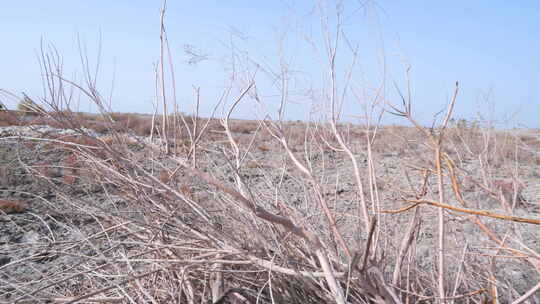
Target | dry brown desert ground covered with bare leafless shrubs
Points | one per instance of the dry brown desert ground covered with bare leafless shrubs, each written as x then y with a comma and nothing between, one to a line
105,209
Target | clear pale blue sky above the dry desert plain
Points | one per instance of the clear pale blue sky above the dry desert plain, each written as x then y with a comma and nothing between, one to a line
491,47
